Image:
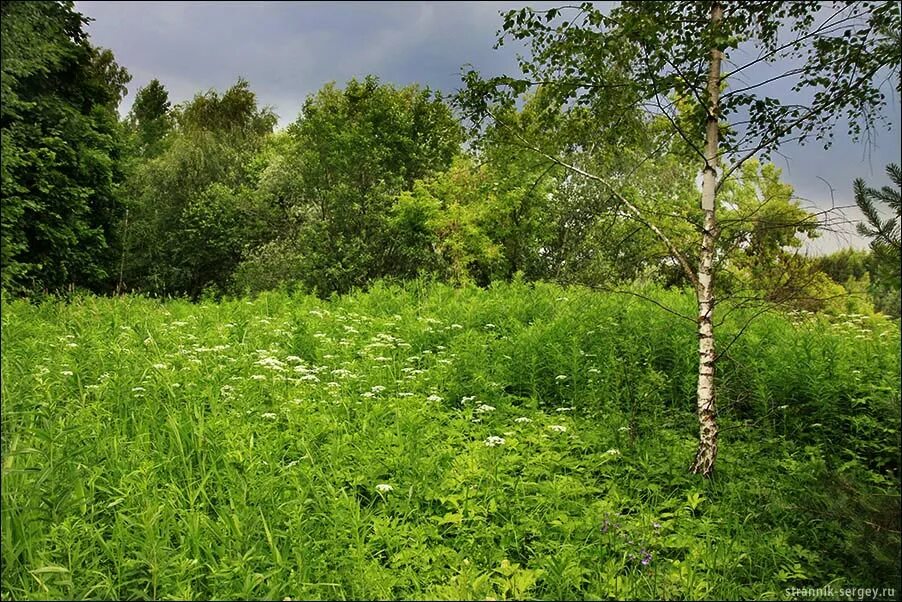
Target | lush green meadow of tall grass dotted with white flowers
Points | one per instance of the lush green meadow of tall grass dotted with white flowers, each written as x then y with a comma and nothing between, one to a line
439,443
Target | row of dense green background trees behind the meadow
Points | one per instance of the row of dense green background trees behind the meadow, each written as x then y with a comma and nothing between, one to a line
370,181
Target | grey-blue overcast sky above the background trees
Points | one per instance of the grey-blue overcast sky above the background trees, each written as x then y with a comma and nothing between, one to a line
289,50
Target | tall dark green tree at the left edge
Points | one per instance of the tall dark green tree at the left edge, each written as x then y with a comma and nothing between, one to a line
61,150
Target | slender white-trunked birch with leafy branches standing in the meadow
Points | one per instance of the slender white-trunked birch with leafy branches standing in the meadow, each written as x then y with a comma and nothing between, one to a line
734,80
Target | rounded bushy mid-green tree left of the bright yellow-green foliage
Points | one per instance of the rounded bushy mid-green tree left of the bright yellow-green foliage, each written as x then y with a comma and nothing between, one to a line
353,152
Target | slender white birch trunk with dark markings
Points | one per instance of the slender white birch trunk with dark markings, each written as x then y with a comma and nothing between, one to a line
707,414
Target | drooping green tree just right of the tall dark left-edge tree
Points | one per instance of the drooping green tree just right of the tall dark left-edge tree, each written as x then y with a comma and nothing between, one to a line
194,215
